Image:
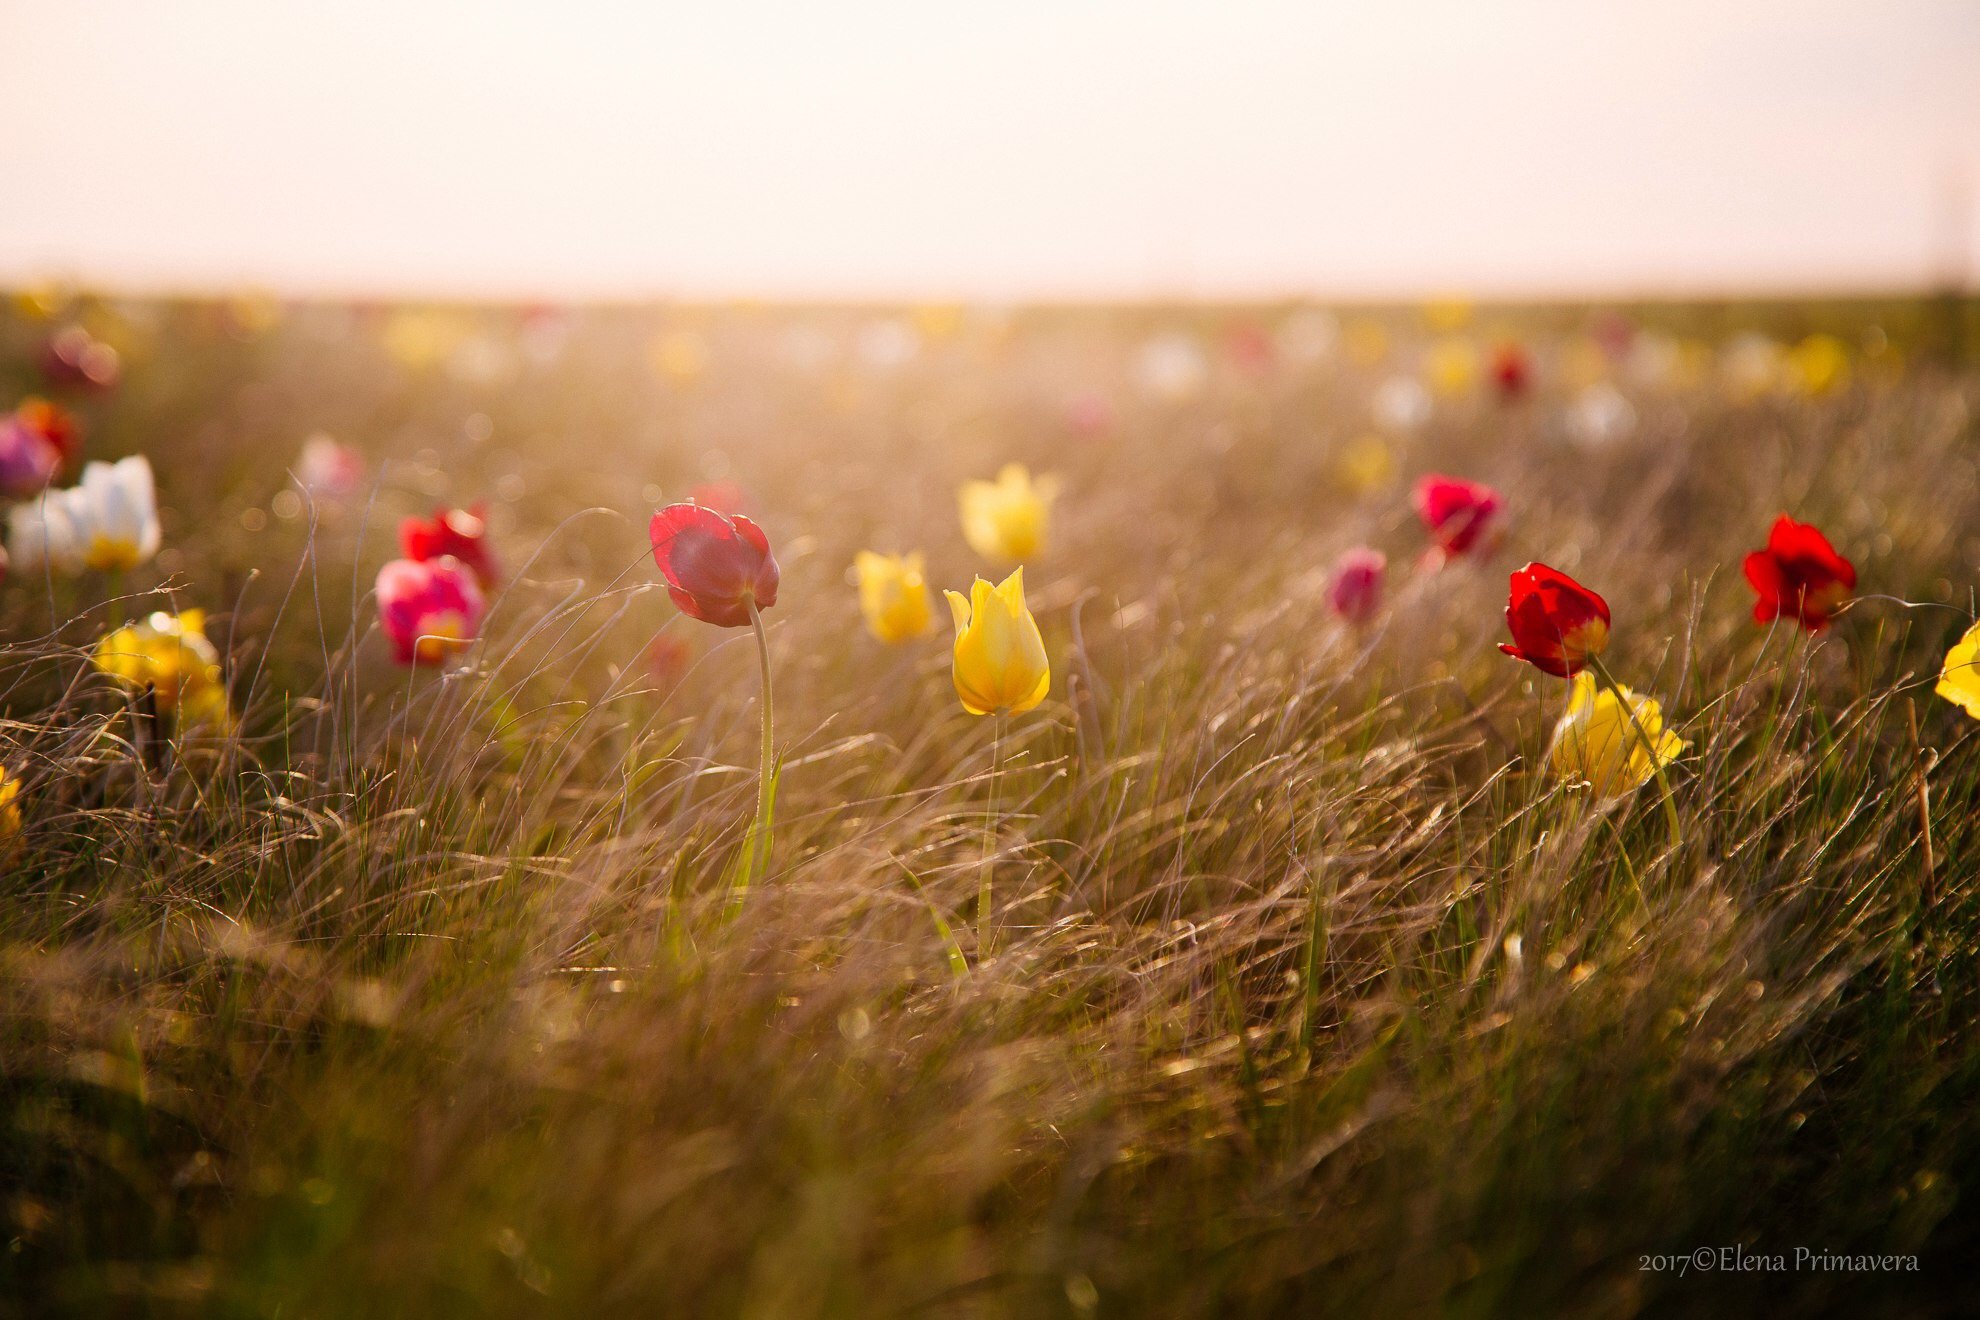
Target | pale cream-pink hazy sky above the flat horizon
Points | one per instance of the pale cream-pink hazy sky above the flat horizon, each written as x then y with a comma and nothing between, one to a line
1015,149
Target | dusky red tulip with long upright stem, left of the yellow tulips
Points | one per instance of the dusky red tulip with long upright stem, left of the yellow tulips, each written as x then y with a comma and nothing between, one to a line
720,571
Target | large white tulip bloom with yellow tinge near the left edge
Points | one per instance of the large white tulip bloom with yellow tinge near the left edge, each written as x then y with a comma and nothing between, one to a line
110,521
